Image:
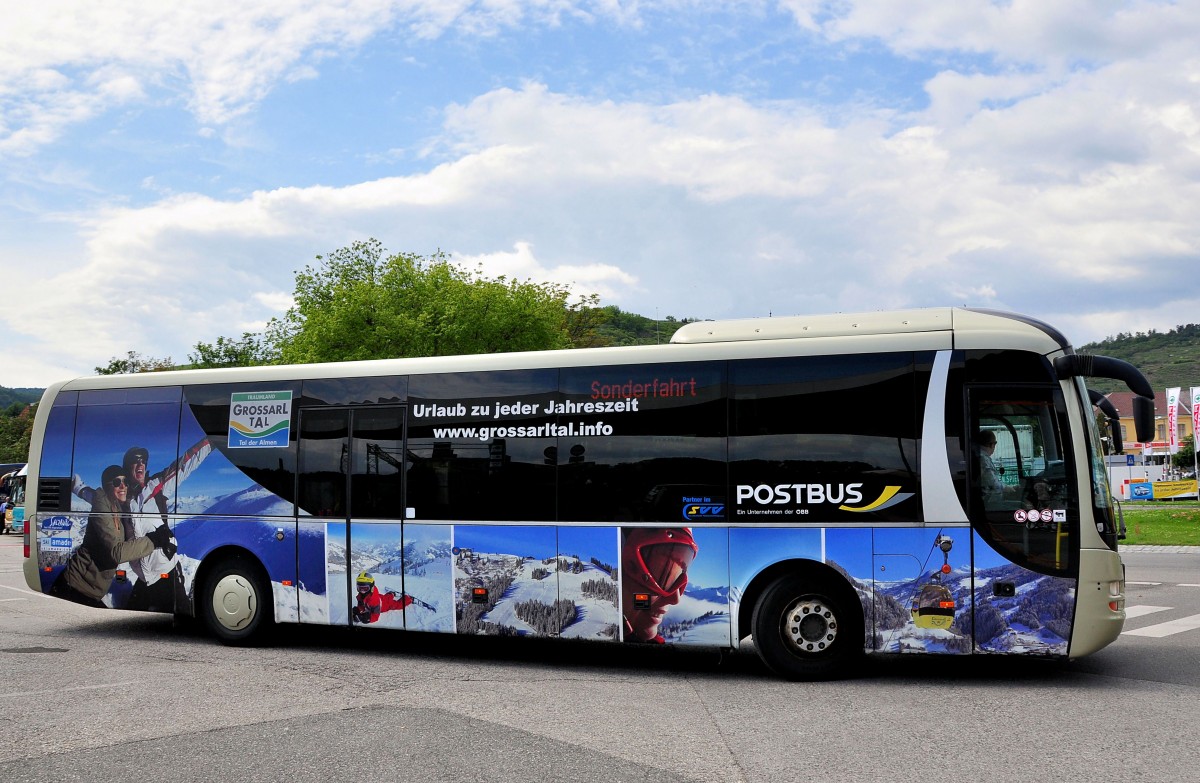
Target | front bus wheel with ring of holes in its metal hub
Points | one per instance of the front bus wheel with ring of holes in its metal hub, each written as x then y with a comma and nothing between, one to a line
803,631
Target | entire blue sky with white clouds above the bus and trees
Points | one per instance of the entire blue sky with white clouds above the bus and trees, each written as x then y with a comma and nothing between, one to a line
166,169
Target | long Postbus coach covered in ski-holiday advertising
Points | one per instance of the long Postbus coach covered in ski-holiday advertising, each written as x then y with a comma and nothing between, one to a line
812,485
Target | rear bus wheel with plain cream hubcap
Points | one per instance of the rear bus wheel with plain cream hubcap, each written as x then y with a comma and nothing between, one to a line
237,603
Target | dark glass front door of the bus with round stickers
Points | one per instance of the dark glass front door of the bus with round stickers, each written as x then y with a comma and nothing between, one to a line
1023,503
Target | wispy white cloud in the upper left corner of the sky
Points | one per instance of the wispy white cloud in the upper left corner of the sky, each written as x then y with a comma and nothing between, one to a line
65,62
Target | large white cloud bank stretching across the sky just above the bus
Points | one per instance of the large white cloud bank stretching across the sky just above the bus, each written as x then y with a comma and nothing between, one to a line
710,207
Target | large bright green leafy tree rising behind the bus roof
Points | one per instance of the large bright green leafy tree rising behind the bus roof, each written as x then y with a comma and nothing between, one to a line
359,303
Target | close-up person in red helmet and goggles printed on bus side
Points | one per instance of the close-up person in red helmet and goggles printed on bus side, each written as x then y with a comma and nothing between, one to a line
655,573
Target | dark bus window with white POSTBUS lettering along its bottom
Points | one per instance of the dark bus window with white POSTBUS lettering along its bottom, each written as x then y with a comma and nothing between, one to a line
844,428
